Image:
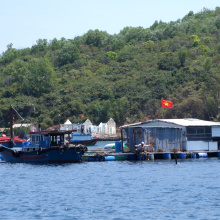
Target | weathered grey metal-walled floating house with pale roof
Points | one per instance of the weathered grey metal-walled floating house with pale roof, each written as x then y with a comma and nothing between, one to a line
173,135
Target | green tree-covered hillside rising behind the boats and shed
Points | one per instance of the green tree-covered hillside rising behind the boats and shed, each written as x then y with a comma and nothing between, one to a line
122,76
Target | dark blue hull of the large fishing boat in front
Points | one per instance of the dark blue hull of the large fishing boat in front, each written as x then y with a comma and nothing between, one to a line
50,155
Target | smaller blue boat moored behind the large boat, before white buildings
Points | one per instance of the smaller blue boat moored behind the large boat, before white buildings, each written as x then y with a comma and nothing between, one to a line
79,136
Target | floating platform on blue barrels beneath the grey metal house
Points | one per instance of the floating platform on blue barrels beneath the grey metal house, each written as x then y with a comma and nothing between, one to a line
101,154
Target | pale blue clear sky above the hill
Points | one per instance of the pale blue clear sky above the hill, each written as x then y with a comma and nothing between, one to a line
23,22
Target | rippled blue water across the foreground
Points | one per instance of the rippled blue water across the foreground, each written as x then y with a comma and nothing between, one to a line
159,189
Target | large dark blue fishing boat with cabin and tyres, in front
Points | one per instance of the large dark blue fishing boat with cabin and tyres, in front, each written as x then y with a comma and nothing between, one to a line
45,147
